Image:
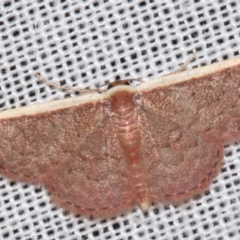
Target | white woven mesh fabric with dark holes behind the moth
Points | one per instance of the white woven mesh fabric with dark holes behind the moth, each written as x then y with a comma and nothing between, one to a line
85,44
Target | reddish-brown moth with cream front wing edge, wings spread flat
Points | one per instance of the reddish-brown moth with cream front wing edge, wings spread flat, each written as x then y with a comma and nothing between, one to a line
101,154
